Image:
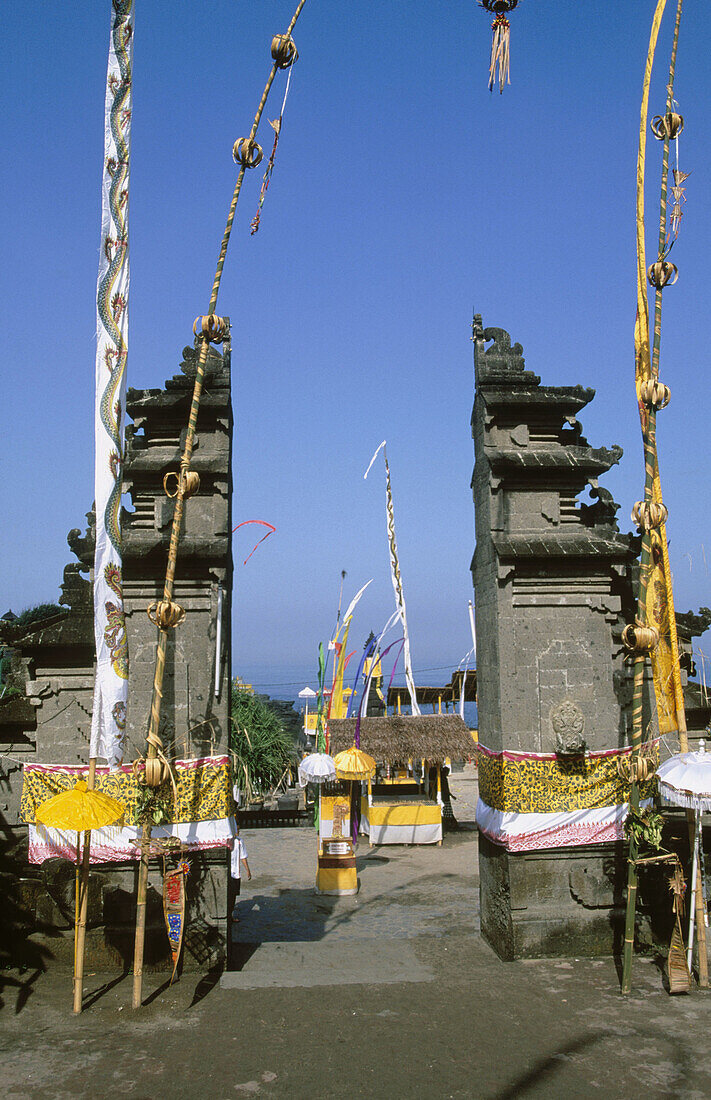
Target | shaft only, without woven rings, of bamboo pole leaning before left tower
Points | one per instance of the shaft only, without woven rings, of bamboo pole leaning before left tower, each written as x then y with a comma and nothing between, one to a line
154,740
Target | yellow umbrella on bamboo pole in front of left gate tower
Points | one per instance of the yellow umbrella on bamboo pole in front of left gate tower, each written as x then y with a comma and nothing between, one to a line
80,810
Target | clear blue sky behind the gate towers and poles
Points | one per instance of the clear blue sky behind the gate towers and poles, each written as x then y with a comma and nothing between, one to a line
406,197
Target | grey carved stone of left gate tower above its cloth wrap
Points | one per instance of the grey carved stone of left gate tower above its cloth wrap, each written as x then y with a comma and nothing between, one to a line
195,711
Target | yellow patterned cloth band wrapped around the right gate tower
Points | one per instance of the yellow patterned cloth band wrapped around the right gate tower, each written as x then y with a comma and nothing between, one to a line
524,784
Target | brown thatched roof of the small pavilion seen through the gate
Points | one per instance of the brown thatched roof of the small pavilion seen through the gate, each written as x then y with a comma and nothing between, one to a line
402,738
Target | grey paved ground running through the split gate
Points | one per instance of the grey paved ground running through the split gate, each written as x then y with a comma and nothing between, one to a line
389,995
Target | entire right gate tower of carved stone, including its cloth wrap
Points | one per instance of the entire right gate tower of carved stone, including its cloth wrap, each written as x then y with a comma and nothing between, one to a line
553,588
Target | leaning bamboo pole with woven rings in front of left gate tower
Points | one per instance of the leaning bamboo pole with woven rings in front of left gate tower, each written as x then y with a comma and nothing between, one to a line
167,614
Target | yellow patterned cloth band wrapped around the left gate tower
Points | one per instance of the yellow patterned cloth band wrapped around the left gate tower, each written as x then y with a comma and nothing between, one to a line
204,789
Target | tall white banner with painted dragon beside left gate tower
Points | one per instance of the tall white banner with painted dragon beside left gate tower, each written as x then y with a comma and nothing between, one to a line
111,689
